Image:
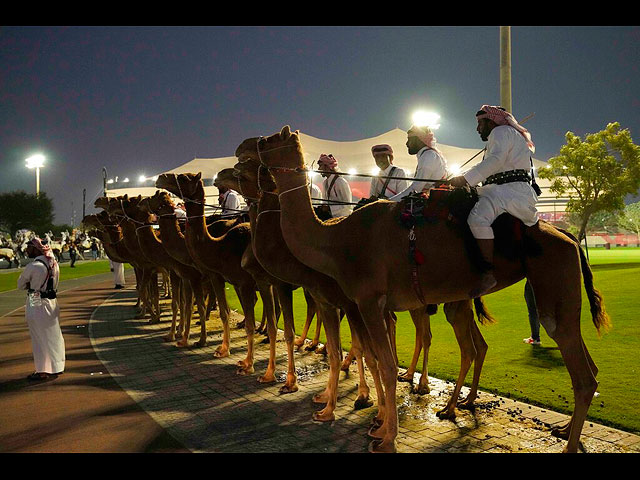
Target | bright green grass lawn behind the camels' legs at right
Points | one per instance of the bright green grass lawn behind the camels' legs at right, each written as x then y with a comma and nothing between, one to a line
537,374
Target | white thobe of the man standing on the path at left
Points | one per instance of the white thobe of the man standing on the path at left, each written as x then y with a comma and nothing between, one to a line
44,327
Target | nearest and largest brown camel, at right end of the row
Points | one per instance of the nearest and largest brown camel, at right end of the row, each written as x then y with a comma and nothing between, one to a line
346,249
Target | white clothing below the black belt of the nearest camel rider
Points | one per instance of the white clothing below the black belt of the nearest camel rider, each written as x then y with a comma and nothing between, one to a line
516,198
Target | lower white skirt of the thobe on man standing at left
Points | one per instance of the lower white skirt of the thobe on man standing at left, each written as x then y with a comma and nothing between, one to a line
46,337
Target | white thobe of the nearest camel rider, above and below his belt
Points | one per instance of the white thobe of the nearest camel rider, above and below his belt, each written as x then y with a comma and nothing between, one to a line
506,150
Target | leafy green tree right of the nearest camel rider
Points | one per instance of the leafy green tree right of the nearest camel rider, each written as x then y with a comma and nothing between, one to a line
596,174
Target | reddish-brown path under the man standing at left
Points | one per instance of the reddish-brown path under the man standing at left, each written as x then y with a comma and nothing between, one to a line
82,411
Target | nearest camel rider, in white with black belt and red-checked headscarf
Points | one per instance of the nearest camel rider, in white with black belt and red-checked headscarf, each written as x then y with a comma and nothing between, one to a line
506,182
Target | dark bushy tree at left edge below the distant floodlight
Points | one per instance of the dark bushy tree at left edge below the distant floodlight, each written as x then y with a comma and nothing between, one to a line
22,210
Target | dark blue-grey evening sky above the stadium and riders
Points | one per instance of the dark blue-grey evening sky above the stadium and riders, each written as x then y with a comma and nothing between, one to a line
147,99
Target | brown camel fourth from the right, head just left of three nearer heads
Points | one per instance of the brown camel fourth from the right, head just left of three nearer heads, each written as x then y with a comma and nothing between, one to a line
224,255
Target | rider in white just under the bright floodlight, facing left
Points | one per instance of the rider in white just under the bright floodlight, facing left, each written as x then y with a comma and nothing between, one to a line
431,163
